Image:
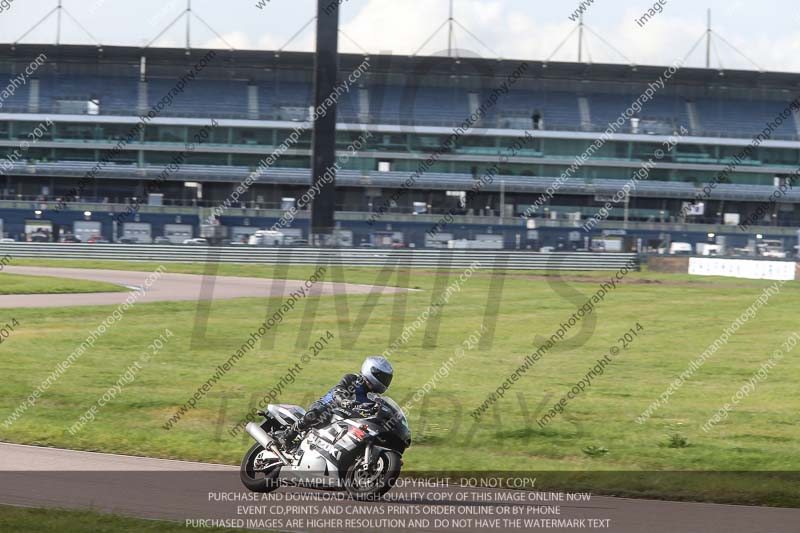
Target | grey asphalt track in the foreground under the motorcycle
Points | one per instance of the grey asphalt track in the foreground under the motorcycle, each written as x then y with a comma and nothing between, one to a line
180,490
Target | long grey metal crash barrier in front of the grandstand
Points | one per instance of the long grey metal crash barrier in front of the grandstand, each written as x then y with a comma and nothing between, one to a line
517,260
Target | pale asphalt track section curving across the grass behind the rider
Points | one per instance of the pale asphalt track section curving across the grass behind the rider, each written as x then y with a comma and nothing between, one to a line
168,287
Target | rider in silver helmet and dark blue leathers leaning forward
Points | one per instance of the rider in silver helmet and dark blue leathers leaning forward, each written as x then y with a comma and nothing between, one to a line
351,391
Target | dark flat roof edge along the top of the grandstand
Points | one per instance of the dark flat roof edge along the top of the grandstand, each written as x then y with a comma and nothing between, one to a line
253,64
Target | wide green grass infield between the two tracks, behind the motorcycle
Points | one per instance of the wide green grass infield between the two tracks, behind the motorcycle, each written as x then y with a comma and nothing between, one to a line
681,317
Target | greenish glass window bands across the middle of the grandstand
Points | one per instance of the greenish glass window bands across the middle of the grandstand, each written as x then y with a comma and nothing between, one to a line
470,154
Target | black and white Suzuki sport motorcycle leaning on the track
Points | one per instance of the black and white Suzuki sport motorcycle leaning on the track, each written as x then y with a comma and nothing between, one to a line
360,450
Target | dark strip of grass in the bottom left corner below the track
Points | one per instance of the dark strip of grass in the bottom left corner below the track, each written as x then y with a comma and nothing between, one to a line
65,521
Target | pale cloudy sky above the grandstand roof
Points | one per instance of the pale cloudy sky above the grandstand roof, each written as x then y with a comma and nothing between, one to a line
767,32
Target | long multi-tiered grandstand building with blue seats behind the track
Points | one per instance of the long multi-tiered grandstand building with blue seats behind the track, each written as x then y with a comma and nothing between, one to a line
100,141
